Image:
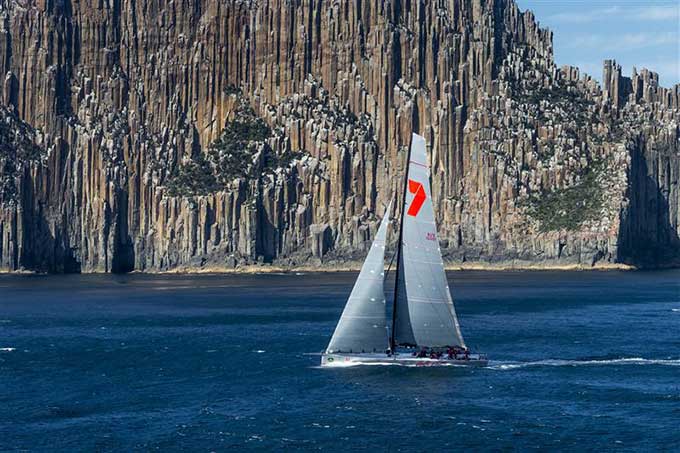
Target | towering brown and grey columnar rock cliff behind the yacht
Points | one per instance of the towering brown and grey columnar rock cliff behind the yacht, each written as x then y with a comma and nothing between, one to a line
125,147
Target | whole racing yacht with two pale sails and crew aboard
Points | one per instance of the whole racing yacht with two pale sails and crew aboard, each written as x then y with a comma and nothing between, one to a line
423,329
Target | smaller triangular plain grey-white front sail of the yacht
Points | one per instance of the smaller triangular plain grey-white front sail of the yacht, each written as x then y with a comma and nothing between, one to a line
363,324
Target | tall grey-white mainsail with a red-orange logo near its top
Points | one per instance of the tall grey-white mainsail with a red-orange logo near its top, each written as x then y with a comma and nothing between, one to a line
432,318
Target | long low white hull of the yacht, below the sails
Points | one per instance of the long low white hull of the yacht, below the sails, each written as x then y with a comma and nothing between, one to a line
345,360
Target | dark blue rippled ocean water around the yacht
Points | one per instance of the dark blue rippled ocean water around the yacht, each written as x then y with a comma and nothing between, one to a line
579,361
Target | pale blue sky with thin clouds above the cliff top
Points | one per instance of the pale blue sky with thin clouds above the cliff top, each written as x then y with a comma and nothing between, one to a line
640,33
